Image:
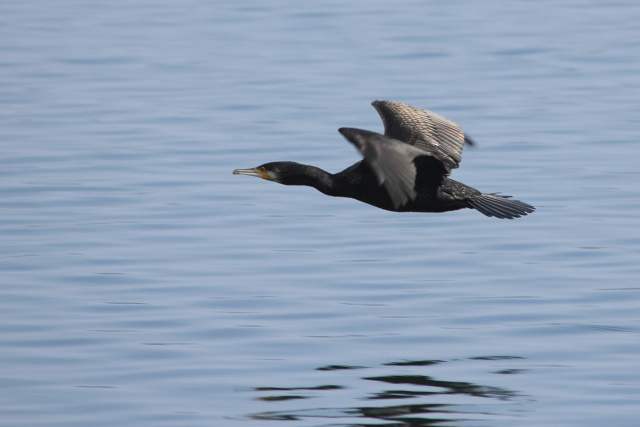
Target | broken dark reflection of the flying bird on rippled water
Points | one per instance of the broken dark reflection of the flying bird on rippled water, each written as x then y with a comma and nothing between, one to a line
434,402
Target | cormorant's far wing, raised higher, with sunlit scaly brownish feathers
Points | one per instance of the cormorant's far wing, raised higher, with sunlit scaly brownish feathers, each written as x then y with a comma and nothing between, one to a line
426,130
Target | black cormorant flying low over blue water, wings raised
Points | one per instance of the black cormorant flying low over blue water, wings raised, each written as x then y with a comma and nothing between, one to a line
404,170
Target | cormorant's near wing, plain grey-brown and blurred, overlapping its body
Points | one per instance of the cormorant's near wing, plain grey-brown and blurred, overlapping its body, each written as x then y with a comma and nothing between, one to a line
392,162
